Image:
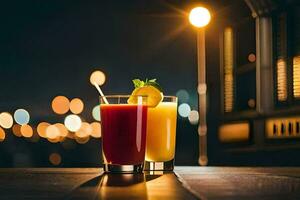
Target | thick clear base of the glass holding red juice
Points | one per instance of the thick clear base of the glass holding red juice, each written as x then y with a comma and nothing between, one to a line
121,169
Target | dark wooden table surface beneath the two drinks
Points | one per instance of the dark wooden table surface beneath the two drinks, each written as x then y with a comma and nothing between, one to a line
185,183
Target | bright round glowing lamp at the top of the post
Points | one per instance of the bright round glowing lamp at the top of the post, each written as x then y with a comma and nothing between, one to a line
199,17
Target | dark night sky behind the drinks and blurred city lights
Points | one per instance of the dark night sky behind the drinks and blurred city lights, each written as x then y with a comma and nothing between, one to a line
50,48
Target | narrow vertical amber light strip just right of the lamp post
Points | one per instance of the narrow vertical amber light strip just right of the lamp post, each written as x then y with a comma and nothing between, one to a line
228,70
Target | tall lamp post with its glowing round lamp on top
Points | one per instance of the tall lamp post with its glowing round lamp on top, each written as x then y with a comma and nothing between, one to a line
200,17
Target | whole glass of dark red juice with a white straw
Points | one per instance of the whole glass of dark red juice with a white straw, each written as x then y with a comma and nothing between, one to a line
123,133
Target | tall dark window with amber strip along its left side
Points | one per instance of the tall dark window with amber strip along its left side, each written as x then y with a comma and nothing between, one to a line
239,66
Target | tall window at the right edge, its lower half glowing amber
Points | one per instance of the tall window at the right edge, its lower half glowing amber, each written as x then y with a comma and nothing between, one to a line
287,55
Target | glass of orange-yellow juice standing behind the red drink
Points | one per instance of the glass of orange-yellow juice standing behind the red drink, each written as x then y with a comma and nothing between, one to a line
161,135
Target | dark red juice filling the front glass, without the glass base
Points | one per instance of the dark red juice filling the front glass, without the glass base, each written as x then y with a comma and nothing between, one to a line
123,133
